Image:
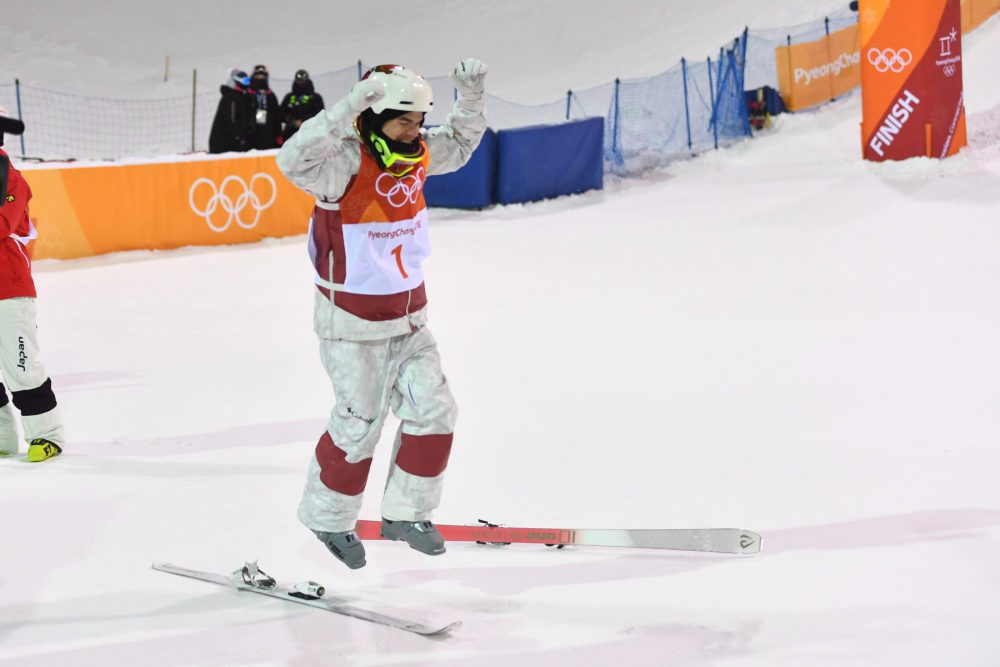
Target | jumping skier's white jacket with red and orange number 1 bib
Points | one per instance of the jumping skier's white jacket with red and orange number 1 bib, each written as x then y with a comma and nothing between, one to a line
368,234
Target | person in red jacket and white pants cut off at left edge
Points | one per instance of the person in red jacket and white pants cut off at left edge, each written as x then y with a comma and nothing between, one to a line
20,367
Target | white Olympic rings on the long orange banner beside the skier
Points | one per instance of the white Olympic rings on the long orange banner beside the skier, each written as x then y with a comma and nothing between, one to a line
237,200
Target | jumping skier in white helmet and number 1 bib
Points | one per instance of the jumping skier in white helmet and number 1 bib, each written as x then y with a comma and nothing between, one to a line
365,161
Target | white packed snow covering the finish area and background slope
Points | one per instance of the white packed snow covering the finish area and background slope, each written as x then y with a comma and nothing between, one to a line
776,337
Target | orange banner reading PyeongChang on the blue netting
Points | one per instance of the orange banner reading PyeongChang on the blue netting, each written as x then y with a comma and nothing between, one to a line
815,72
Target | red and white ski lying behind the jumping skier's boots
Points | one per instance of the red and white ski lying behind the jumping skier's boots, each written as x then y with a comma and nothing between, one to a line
717,540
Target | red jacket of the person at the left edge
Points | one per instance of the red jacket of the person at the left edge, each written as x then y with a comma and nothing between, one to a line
15,232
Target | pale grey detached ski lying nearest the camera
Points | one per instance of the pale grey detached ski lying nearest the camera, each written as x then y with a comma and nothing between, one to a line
264,585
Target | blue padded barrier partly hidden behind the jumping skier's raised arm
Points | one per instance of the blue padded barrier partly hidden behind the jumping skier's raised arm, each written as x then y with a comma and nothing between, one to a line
473,185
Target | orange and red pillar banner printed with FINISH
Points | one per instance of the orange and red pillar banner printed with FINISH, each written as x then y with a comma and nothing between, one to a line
911,79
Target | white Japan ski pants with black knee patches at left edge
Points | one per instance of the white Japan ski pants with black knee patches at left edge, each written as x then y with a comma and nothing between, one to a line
24,375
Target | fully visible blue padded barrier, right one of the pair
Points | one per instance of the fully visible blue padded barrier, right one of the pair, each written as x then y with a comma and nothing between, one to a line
550,160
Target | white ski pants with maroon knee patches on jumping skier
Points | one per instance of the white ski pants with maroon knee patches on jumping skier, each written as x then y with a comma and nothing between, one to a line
369,378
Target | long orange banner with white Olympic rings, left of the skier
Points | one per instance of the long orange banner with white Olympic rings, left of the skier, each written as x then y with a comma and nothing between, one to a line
91,210
